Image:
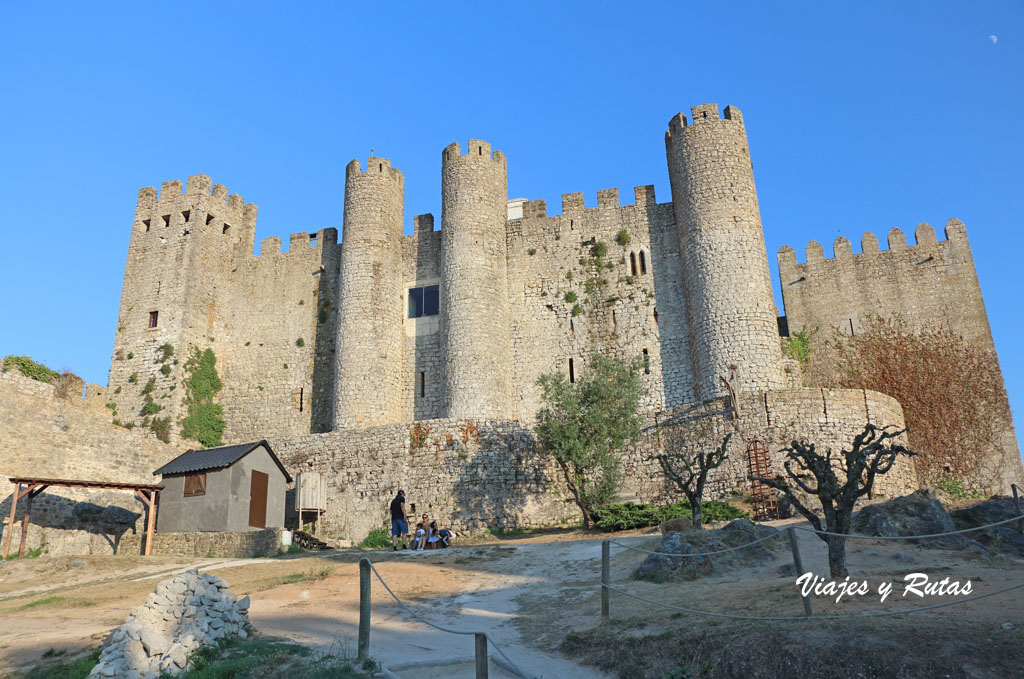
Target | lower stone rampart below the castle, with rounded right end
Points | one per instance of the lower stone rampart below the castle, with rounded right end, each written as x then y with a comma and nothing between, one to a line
475,476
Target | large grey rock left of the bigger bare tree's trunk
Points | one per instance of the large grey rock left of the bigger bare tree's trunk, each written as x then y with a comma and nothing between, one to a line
665,568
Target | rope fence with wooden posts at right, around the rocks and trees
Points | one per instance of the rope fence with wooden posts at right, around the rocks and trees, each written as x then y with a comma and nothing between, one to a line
607,586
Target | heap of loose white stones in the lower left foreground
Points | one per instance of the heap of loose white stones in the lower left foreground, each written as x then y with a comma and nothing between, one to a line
183,614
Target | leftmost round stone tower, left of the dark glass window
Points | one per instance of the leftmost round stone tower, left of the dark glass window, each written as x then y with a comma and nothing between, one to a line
370,315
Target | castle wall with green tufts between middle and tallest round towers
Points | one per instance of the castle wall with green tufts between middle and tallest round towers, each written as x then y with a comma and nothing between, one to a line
634,310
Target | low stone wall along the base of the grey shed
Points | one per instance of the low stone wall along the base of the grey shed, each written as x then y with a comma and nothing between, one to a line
245,544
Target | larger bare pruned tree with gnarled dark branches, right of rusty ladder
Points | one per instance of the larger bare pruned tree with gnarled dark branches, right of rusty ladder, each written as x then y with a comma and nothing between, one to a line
874,453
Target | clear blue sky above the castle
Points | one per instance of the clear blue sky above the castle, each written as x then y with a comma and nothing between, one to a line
861,117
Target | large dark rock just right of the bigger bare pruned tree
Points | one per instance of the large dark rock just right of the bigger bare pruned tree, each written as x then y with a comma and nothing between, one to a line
916,515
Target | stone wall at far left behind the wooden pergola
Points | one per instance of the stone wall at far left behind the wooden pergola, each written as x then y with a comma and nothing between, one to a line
46,436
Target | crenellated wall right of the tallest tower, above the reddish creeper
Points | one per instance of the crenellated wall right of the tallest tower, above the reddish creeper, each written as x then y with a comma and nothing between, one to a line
932,284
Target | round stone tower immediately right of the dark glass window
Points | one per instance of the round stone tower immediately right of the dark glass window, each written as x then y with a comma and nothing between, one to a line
476,330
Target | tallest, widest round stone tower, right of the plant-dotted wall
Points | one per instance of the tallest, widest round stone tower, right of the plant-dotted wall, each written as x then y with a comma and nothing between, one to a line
730,301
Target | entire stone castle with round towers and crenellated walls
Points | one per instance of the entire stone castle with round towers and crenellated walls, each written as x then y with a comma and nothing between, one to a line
457,324
